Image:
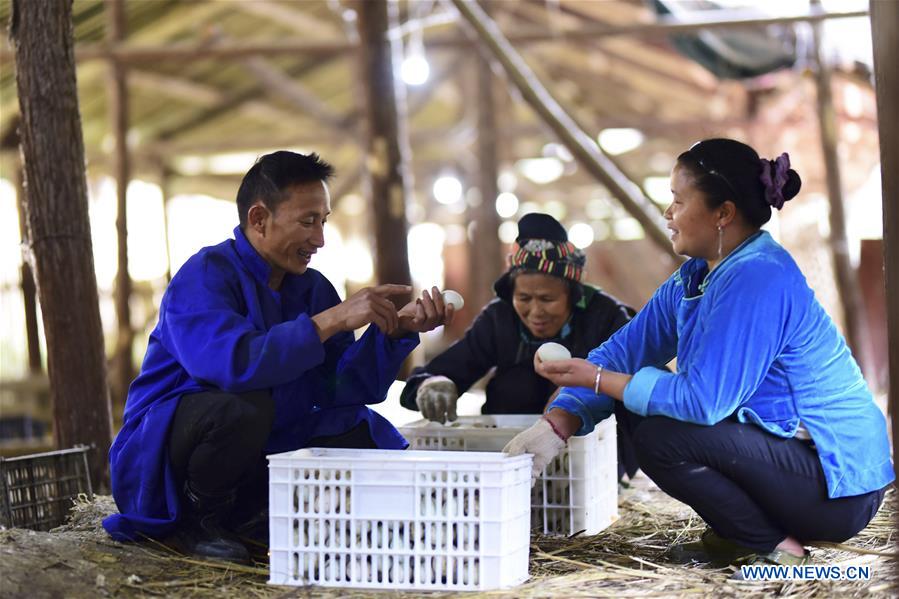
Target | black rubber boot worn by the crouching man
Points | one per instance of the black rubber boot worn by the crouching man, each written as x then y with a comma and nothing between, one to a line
201,531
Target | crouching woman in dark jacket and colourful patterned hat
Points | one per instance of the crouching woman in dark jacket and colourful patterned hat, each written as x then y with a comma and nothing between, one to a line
541,298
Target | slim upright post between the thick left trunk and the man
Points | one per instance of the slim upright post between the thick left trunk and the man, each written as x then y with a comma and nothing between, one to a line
118,115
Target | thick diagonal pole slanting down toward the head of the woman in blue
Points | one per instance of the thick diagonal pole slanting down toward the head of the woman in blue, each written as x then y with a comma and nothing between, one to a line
586,151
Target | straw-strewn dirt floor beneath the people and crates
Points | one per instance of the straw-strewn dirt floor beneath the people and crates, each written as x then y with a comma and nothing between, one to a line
79,560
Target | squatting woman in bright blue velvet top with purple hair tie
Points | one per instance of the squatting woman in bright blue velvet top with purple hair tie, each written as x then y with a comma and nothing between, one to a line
767,429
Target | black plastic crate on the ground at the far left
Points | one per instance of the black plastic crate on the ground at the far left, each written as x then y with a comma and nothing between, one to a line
39,489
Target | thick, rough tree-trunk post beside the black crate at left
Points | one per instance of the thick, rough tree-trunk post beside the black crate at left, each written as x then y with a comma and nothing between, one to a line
59,245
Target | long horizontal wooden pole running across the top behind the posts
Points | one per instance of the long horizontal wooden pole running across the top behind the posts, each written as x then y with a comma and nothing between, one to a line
718,19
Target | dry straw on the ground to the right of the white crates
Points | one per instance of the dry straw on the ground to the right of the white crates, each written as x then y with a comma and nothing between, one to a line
627,559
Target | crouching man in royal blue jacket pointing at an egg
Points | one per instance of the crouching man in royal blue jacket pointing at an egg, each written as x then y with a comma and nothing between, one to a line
254,354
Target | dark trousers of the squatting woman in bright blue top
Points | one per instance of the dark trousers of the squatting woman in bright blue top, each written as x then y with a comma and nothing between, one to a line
750,486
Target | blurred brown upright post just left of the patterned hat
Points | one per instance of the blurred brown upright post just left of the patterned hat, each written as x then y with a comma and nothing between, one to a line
485,261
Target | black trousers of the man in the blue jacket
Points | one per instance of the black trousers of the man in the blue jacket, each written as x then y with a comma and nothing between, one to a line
217,442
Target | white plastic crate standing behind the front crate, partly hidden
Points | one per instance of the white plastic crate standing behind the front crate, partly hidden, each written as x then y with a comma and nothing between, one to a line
578,490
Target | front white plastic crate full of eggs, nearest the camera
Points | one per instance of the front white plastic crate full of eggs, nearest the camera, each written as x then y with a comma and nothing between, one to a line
418,520
